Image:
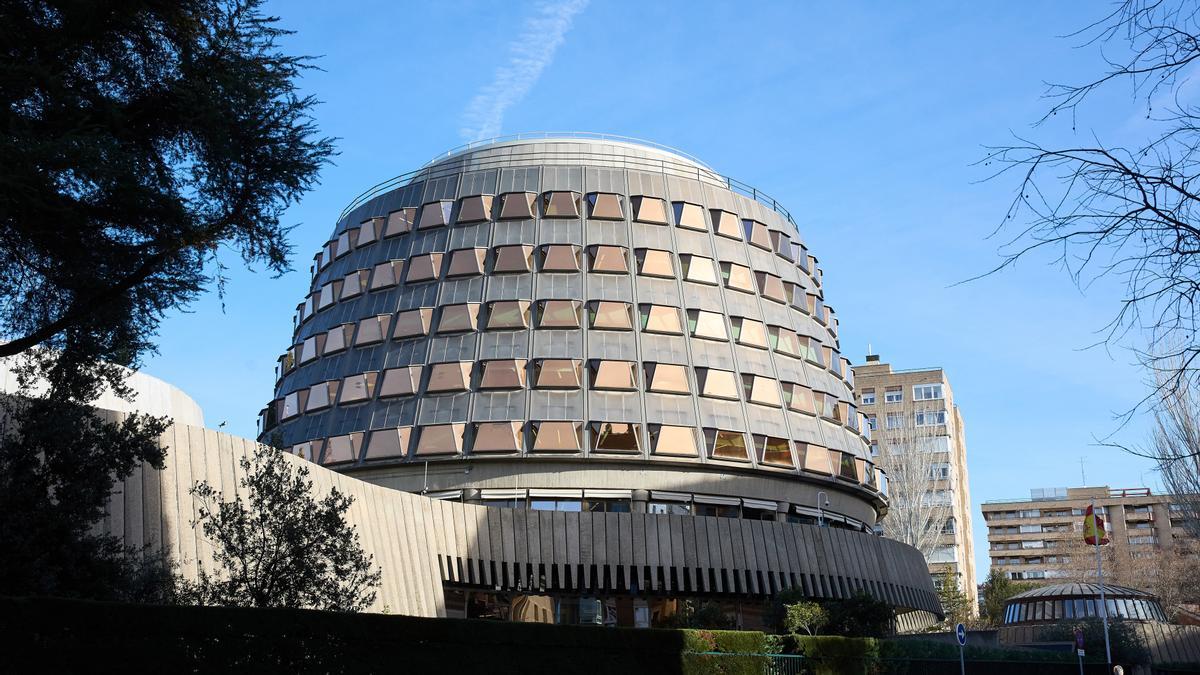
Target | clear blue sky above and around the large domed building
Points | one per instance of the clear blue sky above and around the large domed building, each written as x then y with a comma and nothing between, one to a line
866,121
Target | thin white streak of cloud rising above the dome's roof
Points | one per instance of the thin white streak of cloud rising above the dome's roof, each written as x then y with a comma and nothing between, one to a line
533,50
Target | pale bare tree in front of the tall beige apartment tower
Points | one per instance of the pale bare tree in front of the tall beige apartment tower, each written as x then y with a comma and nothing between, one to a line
919,498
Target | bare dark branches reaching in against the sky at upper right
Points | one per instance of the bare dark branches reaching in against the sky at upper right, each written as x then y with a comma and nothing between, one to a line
1127,213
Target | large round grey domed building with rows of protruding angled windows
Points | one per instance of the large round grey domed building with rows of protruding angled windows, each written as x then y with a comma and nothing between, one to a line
590,325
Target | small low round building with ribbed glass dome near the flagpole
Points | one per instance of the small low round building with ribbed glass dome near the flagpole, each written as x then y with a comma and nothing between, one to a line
1061,602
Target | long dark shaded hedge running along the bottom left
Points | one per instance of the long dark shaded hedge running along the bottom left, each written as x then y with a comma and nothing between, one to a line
57,636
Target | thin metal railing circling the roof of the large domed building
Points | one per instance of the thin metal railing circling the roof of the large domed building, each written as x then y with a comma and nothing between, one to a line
694,169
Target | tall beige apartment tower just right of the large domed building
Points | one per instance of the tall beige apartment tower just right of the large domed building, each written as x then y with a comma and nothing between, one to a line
908,407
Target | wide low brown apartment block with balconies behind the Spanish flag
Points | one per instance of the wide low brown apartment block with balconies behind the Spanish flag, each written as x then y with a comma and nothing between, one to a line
1035,539
